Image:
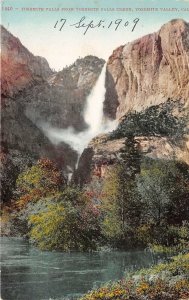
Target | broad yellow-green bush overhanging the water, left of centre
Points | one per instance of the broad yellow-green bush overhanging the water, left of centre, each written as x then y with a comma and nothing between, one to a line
69,222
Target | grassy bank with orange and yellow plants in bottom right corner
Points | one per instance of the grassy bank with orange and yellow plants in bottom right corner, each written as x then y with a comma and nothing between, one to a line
167,281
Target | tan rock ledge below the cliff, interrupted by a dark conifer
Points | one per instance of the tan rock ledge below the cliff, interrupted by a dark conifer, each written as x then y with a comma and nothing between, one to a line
103,153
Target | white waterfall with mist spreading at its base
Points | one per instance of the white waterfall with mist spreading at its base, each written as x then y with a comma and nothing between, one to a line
93,116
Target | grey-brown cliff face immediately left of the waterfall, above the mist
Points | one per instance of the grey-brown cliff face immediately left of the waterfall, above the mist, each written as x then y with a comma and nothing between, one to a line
63,95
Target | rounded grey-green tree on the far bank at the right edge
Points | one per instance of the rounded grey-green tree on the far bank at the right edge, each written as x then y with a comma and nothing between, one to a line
163,187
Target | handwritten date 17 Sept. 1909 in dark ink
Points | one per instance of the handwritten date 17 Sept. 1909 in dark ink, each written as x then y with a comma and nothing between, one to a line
82,23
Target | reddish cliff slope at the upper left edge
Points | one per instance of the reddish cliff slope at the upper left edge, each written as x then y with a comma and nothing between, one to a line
19,67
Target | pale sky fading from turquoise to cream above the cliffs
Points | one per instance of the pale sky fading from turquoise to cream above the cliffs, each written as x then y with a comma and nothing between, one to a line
36,29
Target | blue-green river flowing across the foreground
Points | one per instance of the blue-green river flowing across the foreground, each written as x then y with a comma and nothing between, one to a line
30,274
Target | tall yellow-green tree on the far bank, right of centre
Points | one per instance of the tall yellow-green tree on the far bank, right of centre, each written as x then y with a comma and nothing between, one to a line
120,206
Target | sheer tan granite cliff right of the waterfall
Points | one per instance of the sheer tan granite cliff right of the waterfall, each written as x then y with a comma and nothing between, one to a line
149,70
